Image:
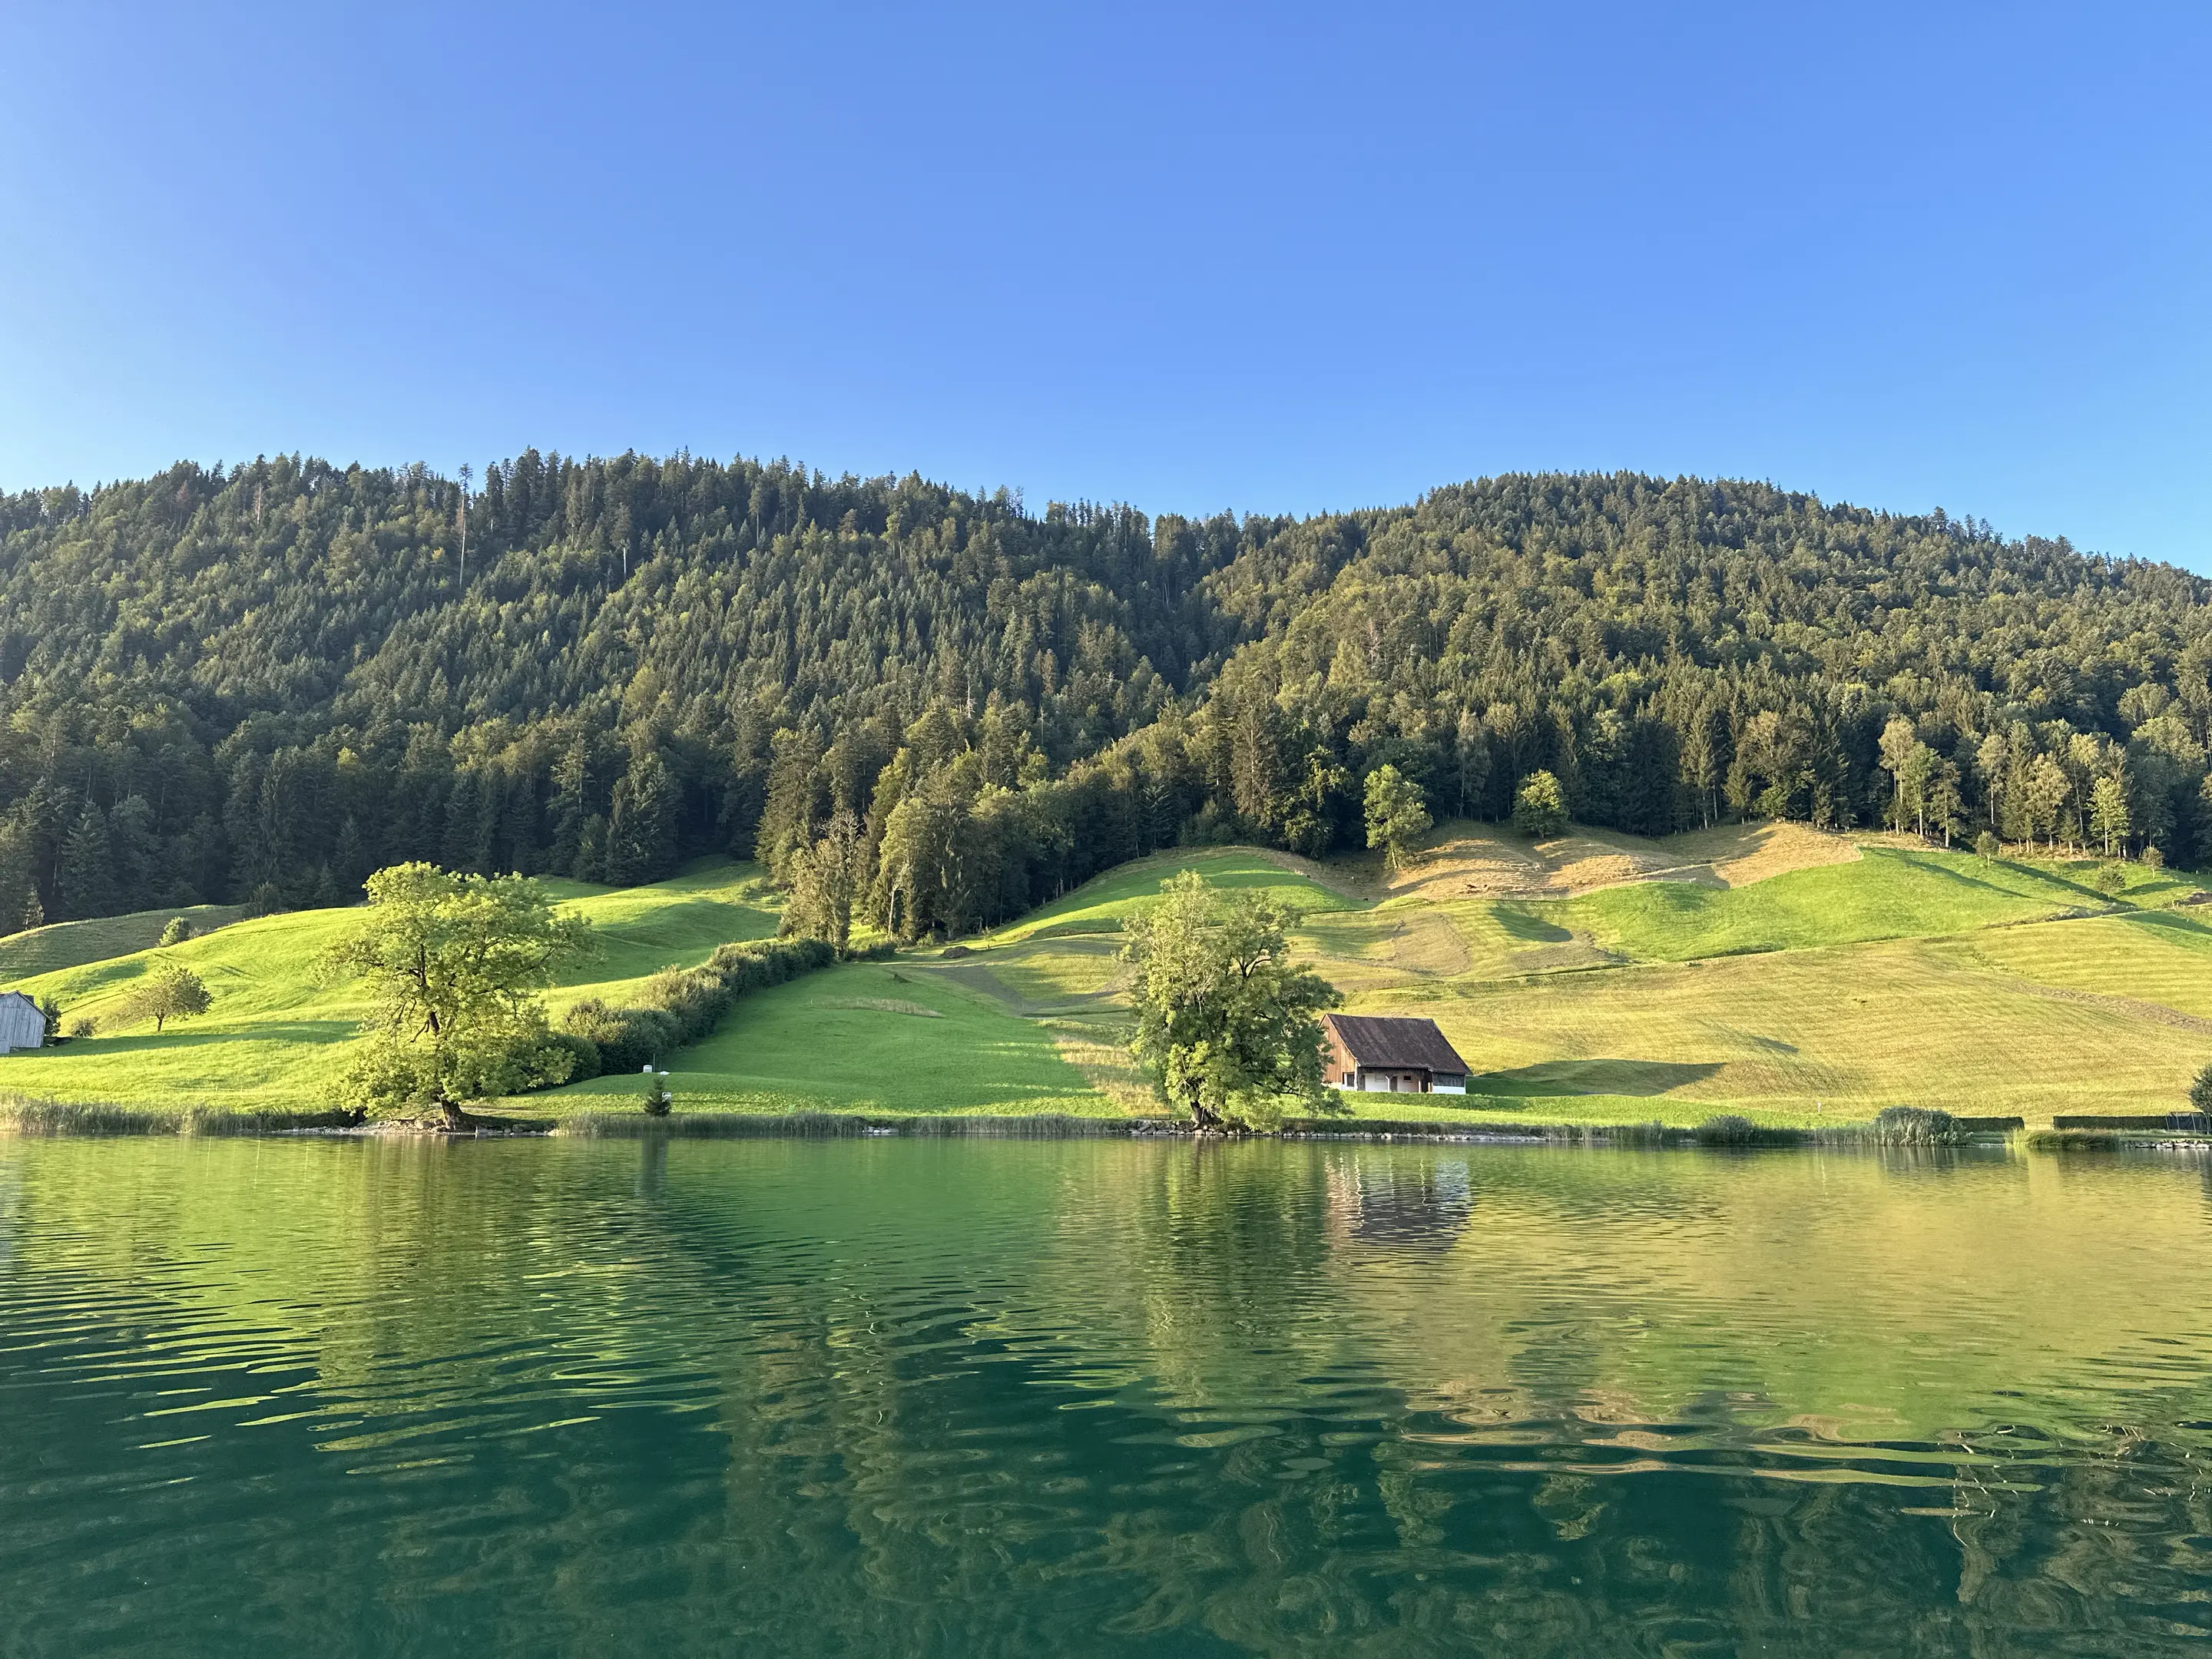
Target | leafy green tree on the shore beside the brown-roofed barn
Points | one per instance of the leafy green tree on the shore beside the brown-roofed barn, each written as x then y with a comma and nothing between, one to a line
1227,1023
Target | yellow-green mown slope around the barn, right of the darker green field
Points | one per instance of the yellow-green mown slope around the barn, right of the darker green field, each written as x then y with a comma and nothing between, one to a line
1808,997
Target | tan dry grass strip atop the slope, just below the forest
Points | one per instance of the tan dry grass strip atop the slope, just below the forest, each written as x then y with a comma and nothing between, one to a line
1490,862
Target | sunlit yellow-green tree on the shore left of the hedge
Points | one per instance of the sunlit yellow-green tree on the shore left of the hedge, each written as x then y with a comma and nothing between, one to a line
455,966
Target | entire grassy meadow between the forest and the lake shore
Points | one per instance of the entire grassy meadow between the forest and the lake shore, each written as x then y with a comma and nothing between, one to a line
1813,997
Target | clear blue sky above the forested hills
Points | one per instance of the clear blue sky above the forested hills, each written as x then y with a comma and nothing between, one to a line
1191,258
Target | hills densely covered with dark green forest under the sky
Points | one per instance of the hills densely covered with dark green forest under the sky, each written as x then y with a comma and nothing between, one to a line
258,685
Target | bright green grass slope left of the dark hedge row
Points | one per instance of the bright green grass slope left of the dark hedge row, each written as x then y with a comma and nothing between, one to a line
278,1032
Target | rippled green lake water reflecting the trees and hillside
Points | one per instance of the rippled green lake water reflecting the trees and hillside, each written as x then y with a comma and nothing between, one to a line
908,1397
